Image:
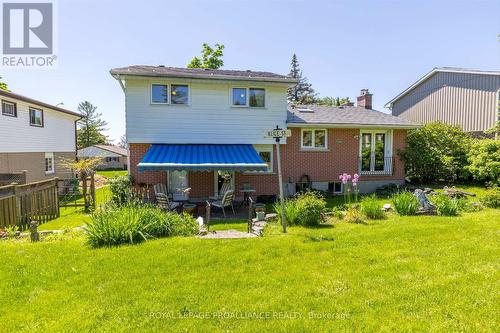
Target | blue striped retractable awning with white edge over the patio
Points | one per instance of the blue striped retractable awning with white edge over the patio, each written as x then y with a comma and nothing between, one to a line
202,157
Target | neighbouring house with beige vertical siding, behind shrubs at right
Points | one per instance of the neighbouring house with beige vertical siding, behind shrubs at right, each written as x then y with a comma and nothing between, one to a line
456,96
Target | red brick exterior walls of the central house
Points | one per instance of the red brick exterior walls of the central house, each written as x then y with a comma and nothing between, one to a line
321,166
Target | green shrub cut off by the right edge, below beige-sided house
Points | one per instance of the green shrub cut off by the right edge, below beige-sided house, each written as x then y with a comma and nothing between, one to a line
484,159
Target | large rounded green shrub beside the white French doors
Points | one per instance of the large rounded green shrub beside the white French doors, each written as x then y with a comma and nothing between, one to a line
436,152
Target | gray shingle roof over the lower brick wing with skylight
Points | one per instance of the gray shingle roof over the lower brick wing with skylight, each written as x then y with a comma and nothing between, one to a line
344,116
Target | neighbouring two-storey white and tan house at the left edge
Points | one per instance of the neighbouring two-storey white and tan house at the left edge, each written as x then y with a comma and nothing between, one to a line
35,137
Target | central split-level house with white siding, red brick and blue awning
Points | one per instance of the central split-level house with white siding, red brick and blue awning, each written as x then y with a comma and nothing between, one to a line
200,128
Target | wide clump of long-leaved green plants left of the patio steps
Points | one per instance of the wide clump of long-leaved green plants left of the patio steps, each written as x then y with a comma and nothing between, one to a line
133,223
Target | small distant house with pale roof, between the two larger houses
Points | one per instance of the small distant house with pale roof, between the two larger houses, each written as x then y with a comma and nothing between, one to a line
113,157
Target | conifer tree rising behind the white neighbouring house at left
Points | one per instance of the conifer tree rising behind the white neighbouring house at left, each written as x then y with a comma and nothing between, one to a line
90,127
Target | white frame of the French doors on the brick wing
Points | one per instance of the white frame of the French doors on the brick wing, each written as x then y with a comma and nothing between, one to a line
388,146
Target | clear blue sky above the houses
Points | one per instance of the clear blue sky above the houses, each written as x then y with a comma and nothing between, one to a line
342,46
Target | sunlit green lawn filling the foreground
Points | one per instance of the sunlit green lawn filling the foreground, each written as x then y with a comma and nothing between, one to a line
410,274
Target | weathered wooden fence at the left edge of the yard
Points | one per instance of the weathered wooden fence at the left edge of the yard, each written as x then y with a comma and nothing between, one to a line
20,204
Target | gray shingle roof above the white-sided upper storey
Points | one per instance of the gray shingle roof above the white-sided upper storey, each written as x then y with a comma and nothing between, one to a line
159,71
